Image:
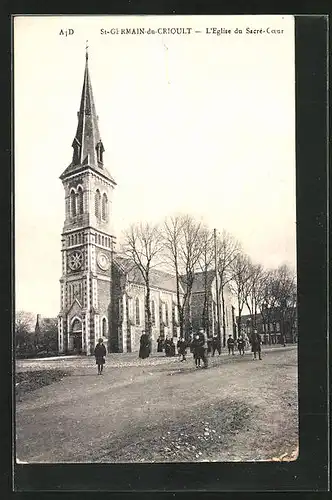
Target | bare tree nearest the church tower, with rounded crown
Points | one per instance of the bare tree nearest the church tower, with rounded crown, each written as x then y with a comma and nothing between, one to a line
142,245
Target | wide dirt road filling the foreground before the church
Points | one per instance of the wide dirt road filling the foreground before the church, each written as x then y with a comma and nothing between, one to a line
159,409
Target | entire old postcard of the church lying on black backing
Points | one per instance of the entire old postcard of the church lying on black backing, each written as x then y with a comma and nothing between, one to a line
156,289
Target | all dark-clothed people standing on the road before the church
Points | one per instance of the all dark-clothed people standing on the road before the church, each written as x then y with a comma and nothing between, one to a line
199,345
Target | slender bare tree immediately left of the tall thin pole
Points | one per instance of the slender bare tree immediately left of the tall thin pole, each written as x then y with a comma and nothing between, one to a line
205,262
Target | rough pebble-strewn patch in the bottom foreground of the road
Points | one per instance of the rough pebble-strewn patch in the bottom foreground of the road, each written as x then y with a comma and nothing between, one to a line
196,438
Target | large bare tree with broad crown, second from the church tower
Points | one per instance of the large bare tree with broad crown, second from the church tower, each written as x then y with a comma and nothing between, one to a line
183,246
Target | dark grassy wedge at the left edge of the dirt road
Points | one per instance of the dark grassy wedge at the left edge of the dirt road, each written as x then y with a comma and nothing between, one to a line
29,381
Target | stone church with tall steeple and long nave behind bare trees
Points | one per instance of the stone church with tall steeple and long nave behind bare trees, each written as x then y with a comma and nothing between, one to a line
102,294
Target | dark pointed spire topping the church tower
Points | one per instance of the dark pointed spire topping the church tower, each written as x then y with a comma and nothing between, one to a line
88,148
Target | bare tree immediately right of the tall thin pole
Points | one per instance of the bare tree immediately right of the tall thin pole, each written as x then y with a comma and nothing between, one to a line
228,248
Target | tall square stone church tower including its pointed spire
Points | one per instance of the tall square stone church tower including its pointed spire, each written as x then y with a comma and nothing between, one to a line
87,240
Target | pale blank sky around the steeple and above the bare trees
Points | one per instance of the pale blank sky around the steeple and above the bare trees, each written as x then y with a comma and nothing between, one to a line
200,124
